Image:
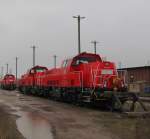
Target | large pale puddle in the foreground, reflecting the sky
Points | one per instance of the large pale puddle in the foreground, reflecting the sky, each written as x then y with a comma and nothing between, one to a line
33,126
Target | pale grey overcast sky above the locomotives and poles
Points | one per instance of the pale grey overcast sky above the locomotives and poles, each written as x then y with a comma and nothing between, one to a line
123,27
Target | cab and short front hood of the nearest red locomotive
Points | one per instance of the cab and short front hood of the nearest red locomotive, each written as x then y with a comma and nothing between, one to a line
96,73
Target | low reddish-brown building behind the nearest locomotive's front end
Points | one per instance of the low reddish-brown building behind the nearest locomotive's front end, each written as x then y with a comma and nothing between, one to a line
137,78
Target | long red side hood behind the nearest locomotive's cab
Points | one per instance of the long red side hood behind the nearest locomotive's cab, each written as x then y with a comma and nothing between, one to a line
63,77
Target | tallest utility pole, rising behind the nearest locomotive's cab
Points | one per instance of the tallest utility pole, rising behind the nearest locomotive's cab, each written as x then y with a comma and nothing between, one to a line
79,44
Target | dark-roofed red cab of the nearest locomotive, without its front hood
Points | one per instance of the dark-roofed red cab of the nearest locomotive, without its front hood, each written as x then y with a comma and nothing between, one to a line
84,63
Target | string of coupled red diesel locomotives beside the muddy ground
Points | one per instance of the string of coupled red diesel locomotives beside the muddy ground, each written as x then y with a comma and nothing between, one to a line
83,78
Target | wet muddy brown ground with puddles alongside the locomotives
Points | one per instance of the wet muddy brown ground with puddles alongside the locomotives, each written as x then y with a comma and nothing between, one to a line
29,117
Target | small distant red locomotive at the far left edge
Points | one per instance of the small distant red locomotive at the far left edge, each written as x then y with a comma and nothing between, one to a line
8,82
